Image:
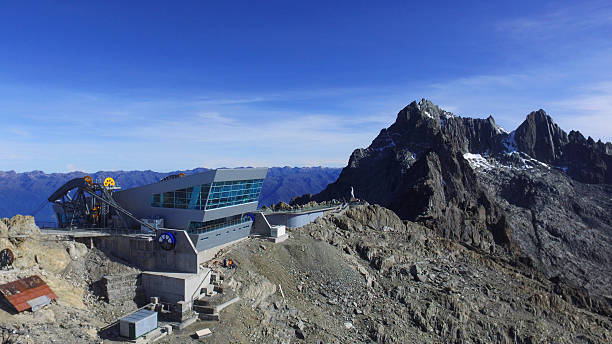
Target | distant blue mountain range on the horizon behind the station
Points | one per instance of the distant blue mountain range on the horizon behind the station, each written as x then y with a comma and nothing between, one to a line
26,193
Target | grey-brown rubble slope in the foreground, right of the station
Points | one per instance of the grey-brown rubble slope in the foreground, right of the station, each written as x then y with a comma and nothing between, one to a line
365,276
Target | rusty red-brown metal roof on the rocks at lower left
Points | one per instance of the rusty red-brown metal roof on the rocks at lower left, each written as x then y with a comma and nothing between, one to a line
23,293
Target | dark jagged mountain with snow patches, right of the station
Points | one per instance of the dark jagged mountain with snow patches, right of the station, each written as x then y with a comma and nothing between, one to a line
537,192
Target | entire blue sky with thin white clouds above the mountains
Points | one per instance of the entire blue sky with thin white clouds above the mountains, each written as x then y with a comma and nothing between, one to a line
111,85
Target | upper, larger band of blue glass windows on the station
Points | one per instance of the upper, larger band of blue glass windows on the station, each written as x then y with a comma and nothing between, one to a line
205,197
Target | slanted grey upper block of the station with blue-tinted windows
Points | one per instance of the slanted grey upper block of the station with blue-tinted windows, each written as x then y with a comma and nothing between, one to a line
214,207
